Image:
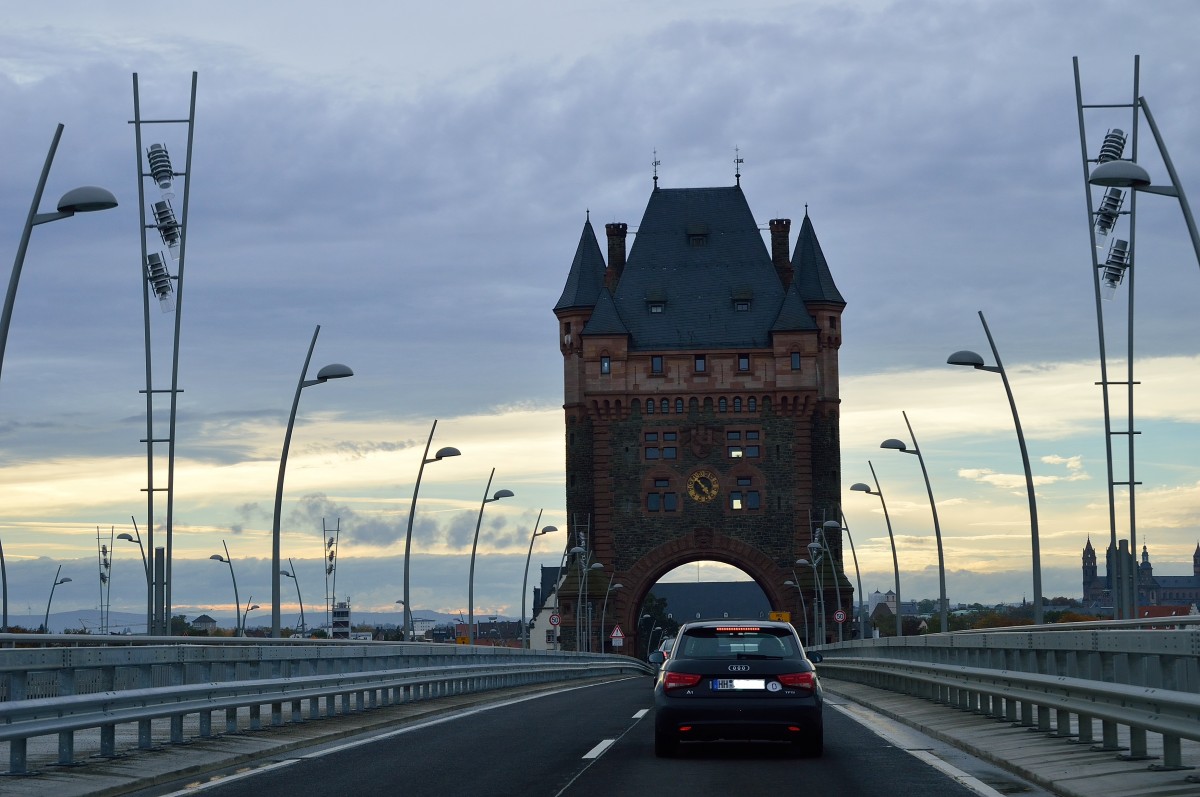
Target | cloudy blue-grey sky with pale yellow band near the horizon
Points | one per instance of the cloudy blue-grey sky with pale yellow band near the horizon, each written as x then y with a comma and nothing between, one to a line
415,181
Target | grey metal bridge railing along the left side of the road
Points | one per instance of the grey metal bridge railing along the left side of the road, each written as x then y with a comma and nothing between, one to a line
64,685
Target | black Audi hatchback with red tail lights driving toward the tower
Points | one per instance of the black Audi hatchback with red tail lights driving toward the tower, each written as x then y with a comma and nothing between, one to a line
739,681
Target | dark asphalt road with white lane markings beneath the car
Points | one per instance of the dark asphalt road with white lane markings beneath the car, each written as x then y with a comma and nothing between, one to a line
586,742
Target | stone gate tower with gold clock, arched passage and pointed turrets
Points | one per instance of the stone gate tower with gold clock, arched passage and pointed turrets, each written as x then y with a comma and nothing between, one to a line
701,404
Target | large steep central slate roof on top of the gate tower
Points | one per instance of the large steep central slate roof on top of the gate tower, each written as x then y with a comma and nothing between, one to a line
698,285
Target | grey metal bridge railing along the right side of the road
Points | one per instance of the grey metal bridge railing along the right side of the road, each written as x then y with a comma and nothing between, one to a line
1148,681
